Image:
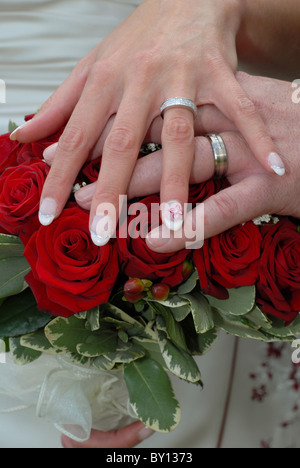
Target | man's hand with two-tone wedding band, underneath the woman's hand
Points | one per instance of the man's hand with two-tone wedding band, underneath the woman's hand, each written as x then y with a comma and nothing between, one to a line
253,192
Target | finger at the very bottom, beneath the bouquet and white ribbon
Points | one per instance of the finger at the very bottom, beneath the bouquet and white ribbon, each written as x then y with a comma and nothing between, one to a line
127,437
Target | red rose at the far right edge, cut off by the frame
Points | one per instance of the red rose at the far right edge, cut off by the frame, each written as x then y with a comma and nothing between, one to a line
278,285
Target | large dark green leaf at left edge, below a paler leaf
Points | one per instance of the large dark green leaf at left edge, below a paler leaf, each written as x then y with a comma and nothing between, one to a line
19,315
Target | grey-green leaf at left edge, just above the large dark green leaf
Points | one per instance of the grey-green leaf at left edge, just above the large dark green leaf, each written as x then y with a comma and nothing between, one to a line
12,273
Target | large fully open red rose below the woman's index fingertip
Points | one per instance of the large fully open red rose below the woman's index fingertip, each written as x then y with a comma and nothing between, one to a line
69,273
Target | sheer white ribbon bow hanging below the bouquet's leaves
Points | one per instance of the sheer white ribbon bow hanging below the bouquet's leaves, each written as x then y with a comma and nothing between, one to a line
76,399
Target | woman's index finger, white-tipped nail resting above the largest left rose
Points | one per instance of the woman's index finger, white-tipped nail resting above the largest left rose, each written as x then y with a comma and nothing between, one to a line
79,137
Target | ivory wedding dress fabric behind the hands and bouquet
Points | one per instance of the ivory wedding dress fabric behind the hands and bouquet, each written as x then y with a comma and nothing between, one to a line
251,390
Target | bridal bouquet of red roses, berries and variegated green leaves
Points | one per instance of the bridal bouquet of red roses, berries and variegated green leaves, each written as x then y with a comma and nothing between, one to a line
124,309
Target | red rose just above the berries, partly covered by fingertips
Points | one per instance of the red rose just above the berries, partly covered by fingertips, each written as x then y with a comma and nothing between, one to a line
137,260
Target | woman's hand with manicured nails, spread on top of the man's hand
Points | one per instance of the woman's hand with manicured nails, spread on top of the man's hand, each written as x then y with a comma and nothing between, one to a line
164,49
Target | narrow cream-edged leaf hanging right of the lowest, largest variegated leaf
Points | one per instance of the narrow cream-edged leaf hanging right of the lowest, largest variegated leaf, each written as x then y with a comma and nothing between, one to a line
178,361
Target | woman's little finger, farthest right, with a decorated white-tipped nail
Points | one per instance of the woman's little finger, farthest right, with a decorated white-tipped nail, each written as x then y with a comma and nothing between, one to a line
238,107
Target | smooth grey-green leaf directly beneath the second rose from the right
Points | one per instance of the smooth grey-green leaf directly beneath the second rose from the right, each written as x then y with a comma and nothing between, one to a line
241,301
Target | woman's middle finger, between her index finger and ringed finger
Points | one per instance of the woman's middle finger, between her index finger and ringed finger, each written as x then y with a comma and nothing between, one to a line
119,157
